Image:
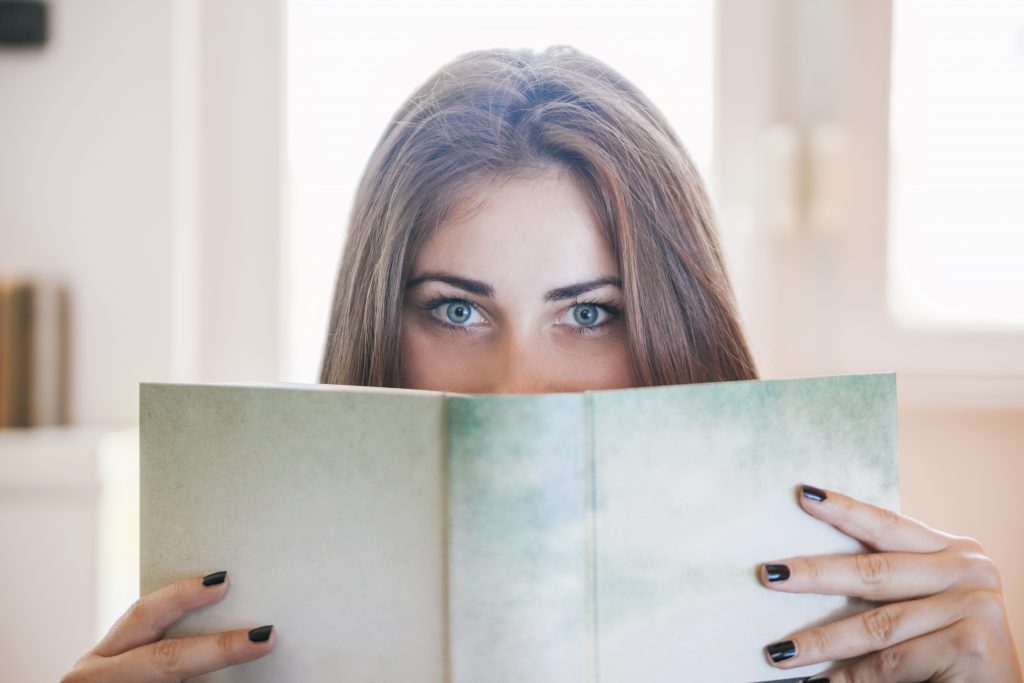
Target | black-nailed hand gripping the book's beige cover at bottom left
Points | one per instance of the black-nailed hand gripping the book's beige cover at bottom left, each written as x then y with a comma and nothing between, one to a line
136,651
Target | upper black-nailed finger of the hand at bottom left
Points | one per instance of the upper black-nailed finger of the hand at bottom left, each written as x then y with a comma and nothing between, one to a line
147,620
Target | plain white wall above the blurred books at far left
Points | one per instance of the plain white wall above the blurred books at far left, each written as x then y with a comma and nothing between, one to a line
86,180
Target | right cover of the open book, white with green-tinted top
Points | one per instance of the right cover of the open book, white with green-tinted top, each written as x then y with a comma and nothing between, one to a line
696,486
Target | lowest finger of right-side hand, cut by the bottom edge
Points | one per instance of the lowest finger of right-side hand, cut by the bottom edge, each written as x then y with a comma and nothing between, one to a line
923,659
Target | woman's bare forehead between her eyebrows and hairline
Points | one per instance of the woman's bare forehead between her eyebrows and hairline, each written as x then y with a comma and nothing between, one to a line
536,233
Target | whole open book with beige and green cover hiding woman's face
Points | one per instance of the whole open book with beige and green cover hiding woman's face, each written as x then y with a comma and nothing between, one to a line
414,537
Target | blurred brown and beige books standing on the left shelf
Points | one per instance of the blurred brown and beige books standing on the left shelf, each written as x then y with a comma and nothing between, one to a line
34,356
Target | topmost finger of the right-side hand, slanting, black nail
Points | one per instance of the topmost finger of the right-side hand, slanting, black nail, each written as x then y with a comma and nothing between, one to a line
878,528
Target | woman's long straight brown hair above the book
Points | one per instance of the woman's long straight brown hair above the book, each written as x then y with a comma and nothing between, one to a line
496,114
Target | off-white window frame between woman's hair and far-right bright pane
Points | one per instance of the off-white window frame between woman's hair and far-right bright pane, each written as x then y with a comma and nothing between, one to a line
815,297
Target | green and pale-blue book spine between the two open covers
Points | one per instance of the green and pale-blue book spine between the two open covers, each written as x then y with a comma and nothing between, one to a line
520,588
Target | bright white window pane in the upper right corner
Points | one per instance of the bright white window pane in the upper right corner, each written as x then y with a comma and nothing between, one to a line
957,198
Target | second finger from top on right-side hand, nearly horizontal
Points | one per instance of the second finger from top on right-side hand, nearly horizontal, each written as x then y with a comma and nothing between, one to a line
879,577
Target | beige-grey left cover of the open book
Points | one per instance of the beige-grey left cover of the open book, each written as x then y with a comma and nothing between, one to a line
327,507
